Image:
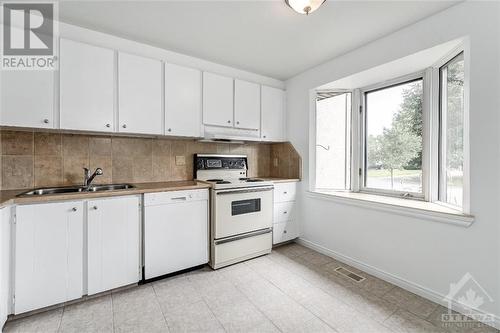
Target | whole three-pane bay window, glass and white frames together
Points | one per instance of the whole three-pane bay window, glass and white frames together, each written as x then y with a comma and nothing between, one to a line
409,138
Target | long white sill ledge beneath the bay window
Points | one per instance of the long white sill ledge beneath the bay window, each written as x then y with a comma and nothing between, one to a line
406,207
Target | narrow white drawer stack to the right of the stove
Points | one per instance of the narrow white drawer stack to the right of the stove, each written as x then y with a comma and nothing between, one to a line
285,225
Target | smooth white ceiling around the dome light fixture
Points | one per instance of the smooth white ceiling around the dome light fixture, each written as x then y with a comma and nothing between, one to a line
265,36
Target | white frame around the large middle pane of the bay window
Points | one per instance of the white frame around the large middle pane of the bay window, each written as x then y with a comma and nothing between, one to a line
362,169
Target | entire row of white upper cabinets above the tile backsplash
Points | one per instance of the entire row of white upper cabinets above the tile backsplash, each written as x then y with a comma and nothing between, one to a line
107,91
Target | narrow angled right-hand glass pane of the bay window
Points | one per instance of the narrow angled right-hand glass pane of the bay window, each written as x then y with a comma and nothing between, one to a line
451,164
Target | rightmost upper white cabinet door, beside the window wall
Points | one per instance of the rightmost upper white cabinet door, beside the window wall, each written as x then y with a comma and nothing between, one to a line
273,100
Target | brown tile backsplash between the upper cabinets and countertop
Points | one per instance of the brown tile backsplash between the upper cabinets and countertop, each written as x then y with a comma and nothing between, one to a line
35,159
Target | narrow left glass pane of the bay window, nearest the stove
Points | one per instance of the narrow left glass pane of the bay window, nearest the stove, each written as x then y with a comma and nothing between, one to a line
333,132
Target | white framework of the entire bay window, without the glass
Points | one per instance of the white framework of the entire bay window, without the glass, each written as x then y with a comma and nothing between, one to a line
430,132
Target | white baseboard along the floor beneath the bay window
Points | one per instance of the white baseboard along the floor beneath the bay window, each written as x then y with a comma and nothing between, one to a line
400,282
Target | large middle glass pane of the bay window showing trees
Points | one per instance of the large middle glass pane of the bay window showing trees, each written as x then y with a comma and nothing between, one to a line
393,138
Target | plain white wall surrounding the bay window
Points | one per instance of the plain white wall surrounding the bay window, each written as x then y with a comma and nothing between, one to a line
425,255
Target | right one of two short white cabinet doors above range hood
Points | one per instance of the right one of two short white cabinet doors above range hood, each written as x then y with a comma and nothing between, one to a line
246,105
